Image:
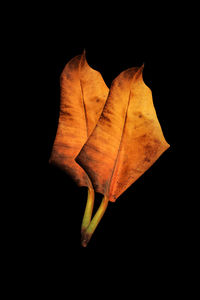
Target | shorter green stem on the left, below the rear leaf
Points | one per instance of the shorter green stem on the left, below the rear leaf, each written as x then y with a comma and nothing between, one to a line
88,210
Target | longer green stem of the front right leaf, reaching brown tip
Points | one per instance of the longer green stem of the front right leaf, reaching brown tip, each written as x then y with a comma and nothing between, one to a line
86,236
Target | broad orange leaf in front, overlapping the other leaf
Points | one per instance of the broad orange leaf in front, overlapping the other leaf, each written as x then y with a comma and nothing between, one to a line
127,139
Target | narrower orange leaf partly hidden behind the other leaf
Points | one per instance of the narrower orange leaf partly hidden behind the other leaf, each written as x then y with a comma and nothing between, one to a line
83,95
